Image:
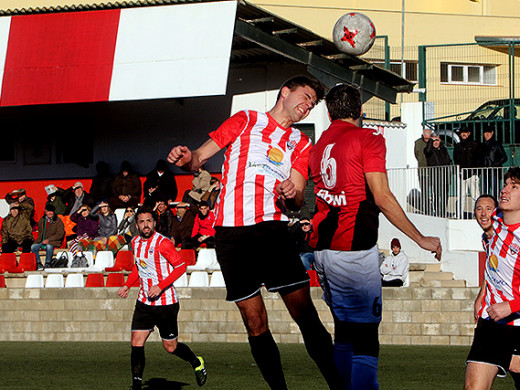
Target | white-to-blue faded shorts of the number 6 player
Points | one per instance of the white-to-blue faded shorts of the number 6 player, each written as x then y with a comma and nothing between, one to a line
351,283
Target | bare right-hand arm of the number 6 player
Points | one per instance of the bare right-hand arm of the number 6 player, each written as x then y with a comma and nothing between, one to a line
385,200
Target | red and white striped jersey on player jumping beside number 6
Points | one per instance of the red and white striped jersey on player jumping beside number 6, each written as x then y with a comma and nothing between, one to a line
260,154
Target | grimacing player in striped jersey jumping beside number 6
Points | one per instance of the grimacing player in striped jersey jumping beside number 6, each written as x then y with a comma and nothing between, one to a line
265,172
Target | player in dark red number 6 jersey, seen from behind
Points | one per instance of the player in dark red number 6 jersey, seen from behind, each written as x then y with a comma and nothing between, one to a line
348,168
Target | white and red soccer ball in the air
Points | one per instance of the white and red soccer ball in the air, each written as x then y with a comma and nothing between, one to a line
354,33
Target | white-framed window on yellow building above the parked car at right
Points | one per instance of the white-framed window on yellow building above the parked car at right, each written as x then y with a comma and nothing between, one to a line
470,74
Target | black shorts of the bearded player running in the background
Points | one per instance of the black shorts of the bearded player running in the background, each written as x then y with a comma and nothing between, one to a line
146,317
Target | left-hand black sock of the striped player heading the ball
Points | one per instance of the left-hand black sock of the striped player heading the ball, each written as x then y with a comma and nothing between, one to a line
267,358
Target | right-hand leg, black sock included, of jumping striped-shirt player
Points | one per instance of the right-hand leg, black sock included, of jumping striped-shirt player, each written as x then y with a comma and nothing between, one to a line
317,340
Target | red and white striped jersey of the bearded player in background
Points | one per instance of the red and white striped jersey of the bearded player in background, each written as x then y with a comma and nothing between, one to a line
156,259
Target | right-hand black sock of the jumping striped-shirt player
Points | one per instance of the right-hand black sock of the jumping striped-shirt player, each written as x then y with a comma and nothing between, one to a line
318,343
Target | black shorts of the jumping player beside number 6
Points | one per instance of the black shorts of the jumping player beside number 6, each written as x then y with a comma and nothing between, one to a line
261,254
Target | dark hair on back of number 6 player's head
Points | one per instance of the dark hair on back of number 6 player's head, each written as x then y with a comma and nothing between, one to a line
344,101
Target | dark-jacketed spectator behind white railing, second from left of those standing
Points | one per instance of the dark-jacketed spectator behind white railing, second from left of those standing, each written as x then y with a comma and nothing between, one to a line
437,156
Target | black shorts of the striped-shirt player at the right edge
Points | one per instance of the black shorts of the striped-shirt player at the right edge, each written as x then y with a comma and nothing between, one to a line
494,344
